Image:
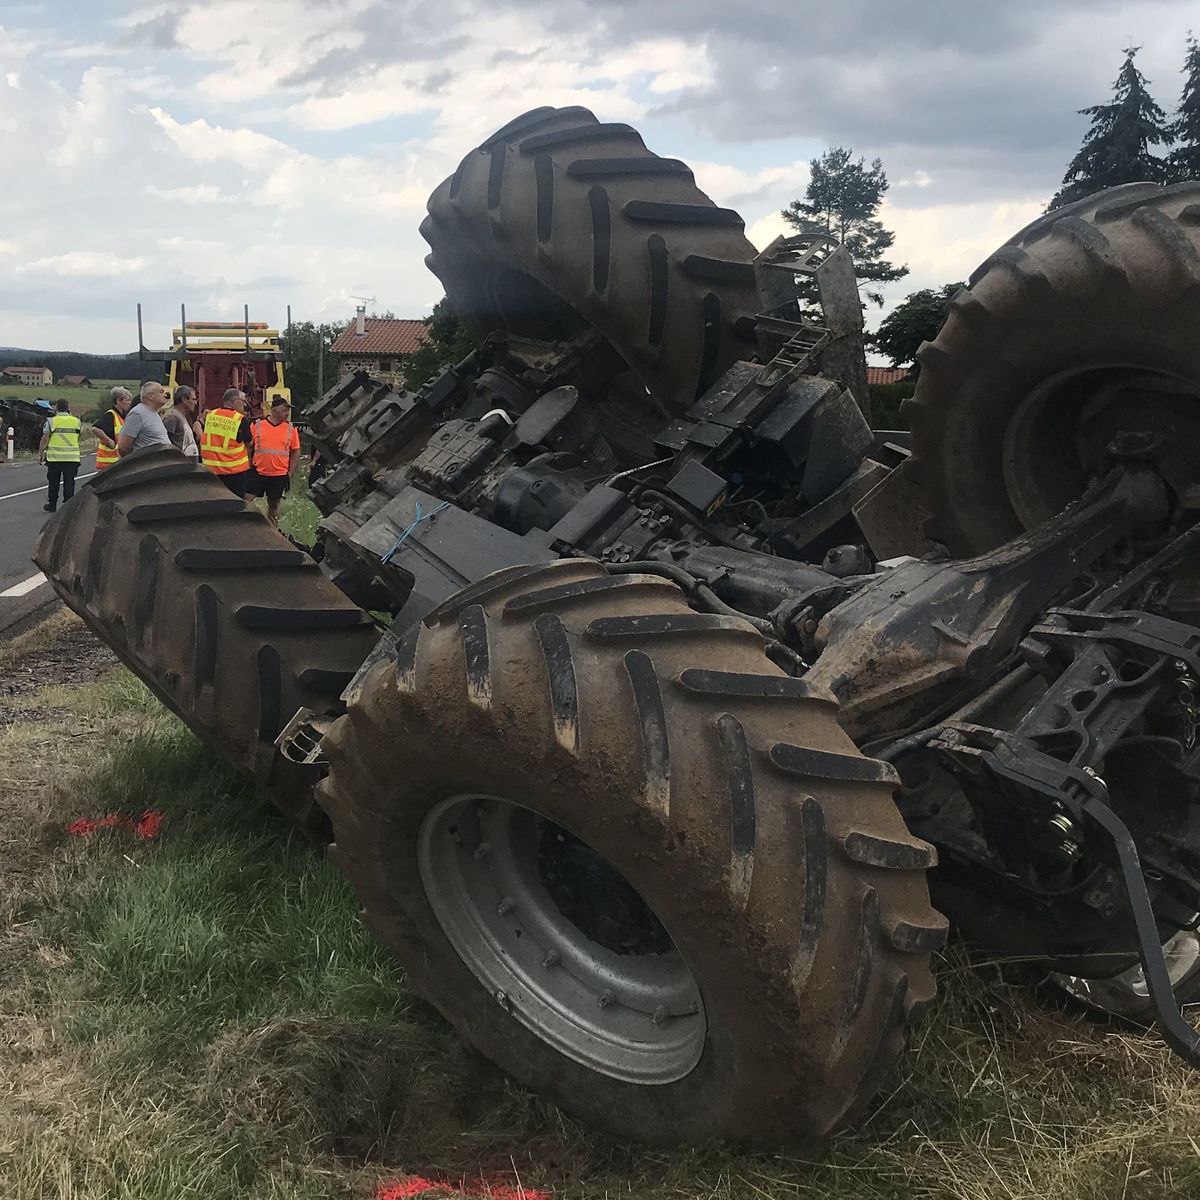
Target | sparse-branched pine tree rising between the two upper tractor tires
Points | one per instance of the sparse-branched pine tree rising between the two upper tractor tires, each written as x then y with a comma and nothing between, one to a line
844,199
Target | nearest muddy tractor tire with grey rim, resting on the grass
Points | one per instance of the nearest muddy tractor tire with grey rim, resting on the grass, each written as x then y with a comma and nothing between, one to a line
633,862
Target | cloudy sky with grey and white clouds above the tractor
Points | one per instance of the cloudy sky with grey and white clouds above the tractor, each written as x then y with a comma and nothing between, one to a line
274,153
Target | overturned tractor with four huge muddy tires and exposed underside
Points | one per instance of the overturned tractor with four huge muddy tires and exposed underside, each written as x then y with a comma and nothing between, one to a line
701,709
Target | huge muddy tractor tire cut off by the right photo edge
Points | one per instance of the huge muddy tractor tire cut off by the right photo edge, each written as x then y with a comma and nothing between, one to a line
1082,327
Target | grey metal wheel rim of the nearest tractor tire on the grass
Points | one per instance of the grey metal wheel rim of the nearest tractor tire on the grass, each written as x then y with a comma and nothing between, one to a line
561,940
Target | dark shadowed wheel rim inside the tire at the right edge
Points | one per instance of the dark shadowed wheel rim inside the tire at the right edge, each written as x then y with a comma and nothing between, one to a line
1060,434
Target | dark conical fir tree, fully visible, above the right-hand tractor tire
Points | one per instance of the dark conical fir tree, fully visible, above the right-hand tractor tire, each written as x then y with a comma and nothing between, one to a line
1117,149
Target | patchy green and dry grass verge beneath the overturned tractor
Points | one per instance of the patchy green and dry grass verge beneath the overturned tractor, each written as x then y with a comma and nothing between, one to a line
201,1016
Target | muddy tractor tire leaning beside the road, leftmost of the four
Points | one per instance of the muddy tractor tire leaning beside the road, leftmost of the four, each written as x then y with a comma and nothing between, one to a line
231,626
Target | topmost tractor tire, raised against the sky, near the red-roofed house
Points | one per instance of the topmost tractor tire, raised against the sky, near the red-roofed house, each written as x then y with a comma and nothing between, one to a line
559,221
